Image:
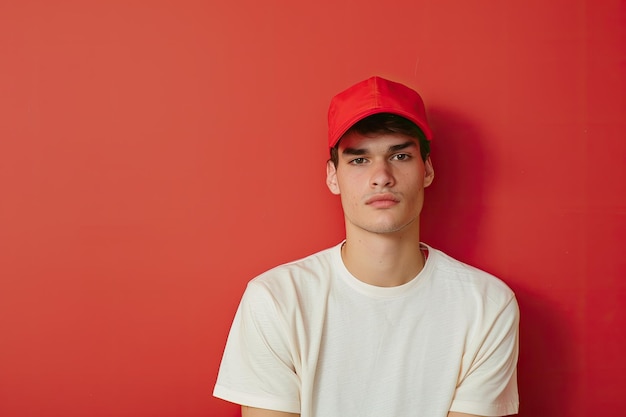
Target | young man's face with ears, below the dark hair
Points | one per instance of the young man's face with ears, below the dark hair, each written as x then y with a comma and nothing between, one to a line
381,181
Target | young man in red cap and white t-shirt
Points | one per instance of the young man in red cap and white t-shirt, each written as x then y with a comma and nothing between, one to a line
380,325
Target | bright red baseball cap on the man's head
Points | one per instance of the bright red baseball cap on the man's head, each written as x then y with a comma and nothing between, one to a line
372,96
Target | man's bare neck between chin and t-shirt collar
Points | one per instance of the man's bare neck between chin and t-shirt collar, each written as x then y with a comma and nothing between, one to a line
384,260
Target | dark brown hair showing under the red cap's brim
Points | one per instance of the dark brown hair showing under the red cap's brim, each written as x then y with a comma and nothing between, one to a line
386,123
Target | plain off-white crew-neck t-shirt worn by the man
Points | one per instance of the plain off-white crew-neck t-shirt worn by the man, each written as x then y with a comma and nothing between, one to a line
310,338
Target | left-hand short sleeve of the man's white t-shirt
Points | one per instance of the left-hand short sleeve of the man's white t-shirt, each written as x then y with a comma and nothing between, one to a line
257,367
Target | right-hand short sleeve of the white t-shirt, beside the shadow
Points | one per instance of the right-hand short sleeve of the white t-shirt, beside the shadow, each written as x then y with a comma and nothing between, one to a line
488,386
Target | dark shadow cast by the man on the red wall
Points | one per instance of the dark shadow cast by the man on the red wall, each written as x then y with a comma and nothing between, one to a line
452,221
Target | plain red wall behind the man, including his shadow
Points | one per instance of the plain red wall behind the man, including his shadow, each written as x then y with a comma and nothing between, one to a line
155,156
